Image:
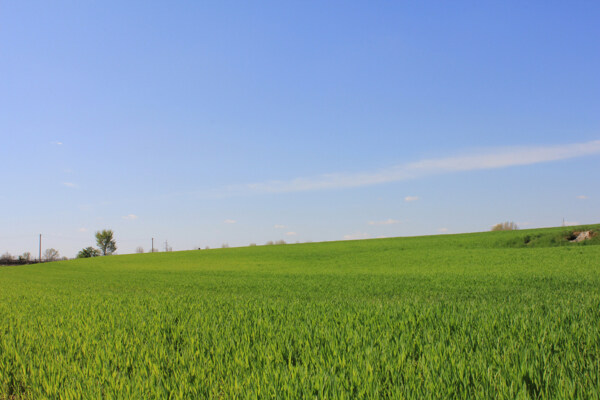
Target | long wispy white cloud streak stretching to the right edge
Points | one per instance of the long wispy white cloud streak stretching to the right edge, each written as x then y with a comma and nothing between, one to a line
487,159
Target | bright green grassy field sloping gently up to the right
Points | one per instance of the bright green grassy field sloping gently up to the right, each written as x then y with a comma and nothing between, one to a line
485,315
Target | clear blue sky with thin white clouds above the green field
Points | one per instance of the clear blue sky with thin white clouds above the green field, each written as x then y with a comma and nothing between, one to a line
204,123
